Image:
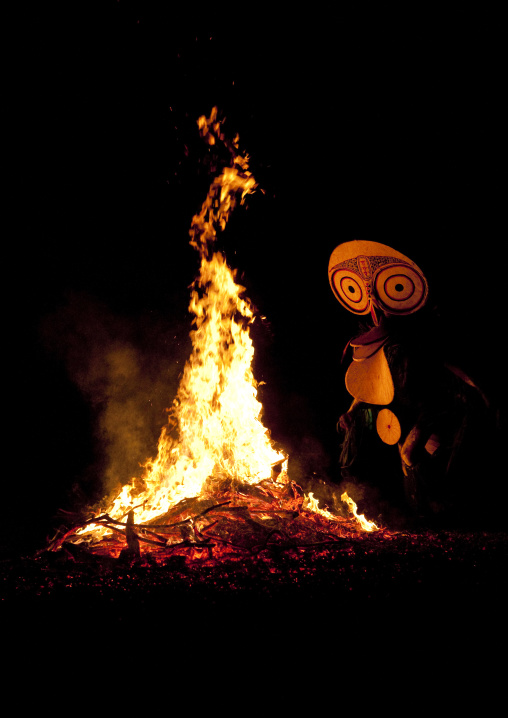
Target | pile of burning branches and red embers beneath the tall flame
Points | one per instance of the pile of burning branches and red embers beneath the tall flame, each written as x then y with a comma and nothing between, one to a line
227,520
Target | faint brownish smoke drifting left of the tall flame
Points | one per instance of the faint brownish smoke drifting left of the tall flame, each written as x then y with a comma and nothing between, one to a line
127,369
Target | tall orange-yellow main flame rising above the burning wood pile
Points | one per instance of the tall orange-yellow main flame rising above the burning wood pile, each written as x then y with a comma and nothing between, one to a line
214,427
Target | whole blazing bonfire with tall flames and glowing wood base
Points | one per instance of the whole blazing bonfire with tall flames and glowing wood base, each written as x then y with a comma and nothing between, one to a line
218,484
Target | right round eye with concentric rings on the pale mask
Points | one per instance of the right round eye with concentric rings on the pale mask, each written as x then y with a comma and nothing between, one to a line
400,289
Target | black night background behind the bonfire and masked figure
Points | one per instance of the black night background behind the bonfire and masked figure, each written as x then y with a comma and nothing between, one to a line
358,126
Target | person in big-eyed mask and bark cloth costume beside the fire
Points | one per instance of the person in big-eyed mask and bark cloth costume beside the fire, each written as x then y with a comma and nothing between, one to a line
412,415
